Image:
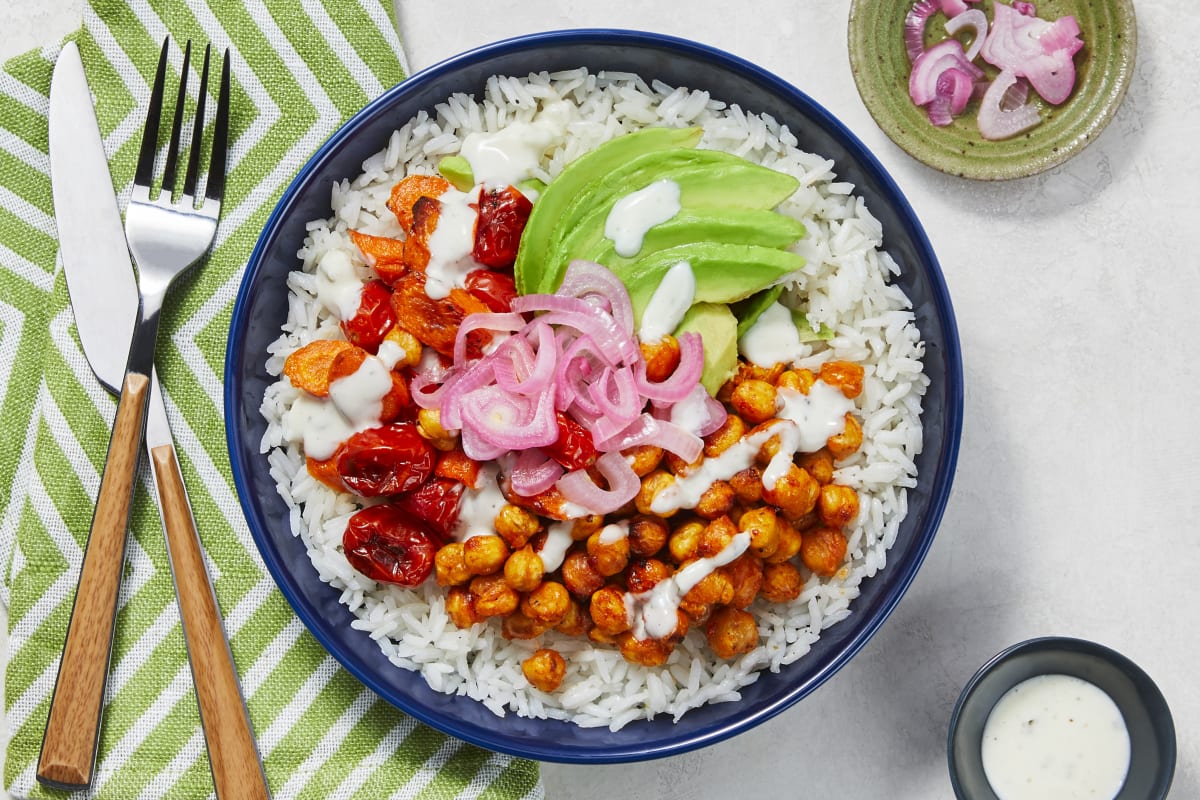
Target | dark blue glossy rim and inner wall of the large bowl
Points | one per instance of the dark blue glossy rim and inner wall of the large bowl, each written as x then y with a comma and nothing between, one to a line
944,470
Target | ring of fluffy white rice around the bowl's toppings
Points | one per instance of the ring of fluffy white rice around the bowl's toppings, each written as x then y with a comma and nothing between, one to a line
845,286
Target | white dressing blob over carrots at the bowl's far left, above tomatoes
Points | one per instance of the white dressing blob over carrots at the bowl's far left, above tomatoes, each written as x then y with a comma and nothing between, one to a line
355,405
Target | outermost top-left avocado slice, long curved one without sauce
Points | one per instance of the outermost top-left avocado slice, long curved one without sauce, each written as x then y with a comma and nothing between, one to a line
529,269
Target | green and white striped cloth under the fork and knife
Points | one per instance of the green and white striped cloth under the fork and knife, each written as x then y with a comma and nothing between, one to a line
301,68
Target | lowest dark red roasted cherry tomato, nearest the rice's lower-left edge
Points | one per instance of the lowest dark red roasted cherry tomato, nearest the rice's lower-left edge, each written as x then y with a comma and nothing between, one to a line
387,544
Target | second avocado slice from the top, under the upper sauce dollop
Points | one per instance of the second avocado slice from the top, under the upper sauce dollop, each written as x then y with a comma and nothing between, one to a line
707,179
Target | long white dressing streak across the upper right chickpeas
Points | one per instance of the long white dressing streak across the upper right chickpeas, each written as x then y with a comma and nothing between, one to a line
803,428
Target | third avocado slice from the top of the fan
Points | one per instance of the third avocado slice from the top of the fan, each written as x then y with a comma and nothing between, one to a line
728,226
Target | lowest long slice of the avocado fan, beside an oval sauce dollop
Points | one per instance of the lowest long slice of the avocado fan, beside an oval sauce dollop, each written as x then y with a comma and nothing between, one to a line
724,273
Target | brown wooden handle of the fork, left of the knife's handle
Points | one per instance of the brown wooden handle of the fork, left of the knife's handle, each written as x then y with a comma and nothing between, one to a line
69,750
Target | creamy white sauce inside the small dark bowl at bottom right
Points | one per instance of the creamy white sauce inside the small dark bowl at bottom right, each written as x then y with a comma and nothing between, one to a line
1055,738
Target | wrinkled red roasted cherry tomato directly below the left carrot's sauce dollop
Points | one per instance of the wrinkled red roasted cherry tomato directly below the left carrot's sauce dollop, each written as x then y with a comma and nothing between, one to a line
388,460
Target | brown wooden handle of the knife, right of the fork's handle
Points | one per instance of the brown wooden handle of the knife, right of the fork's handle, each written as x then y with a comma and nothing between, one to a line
237,771
